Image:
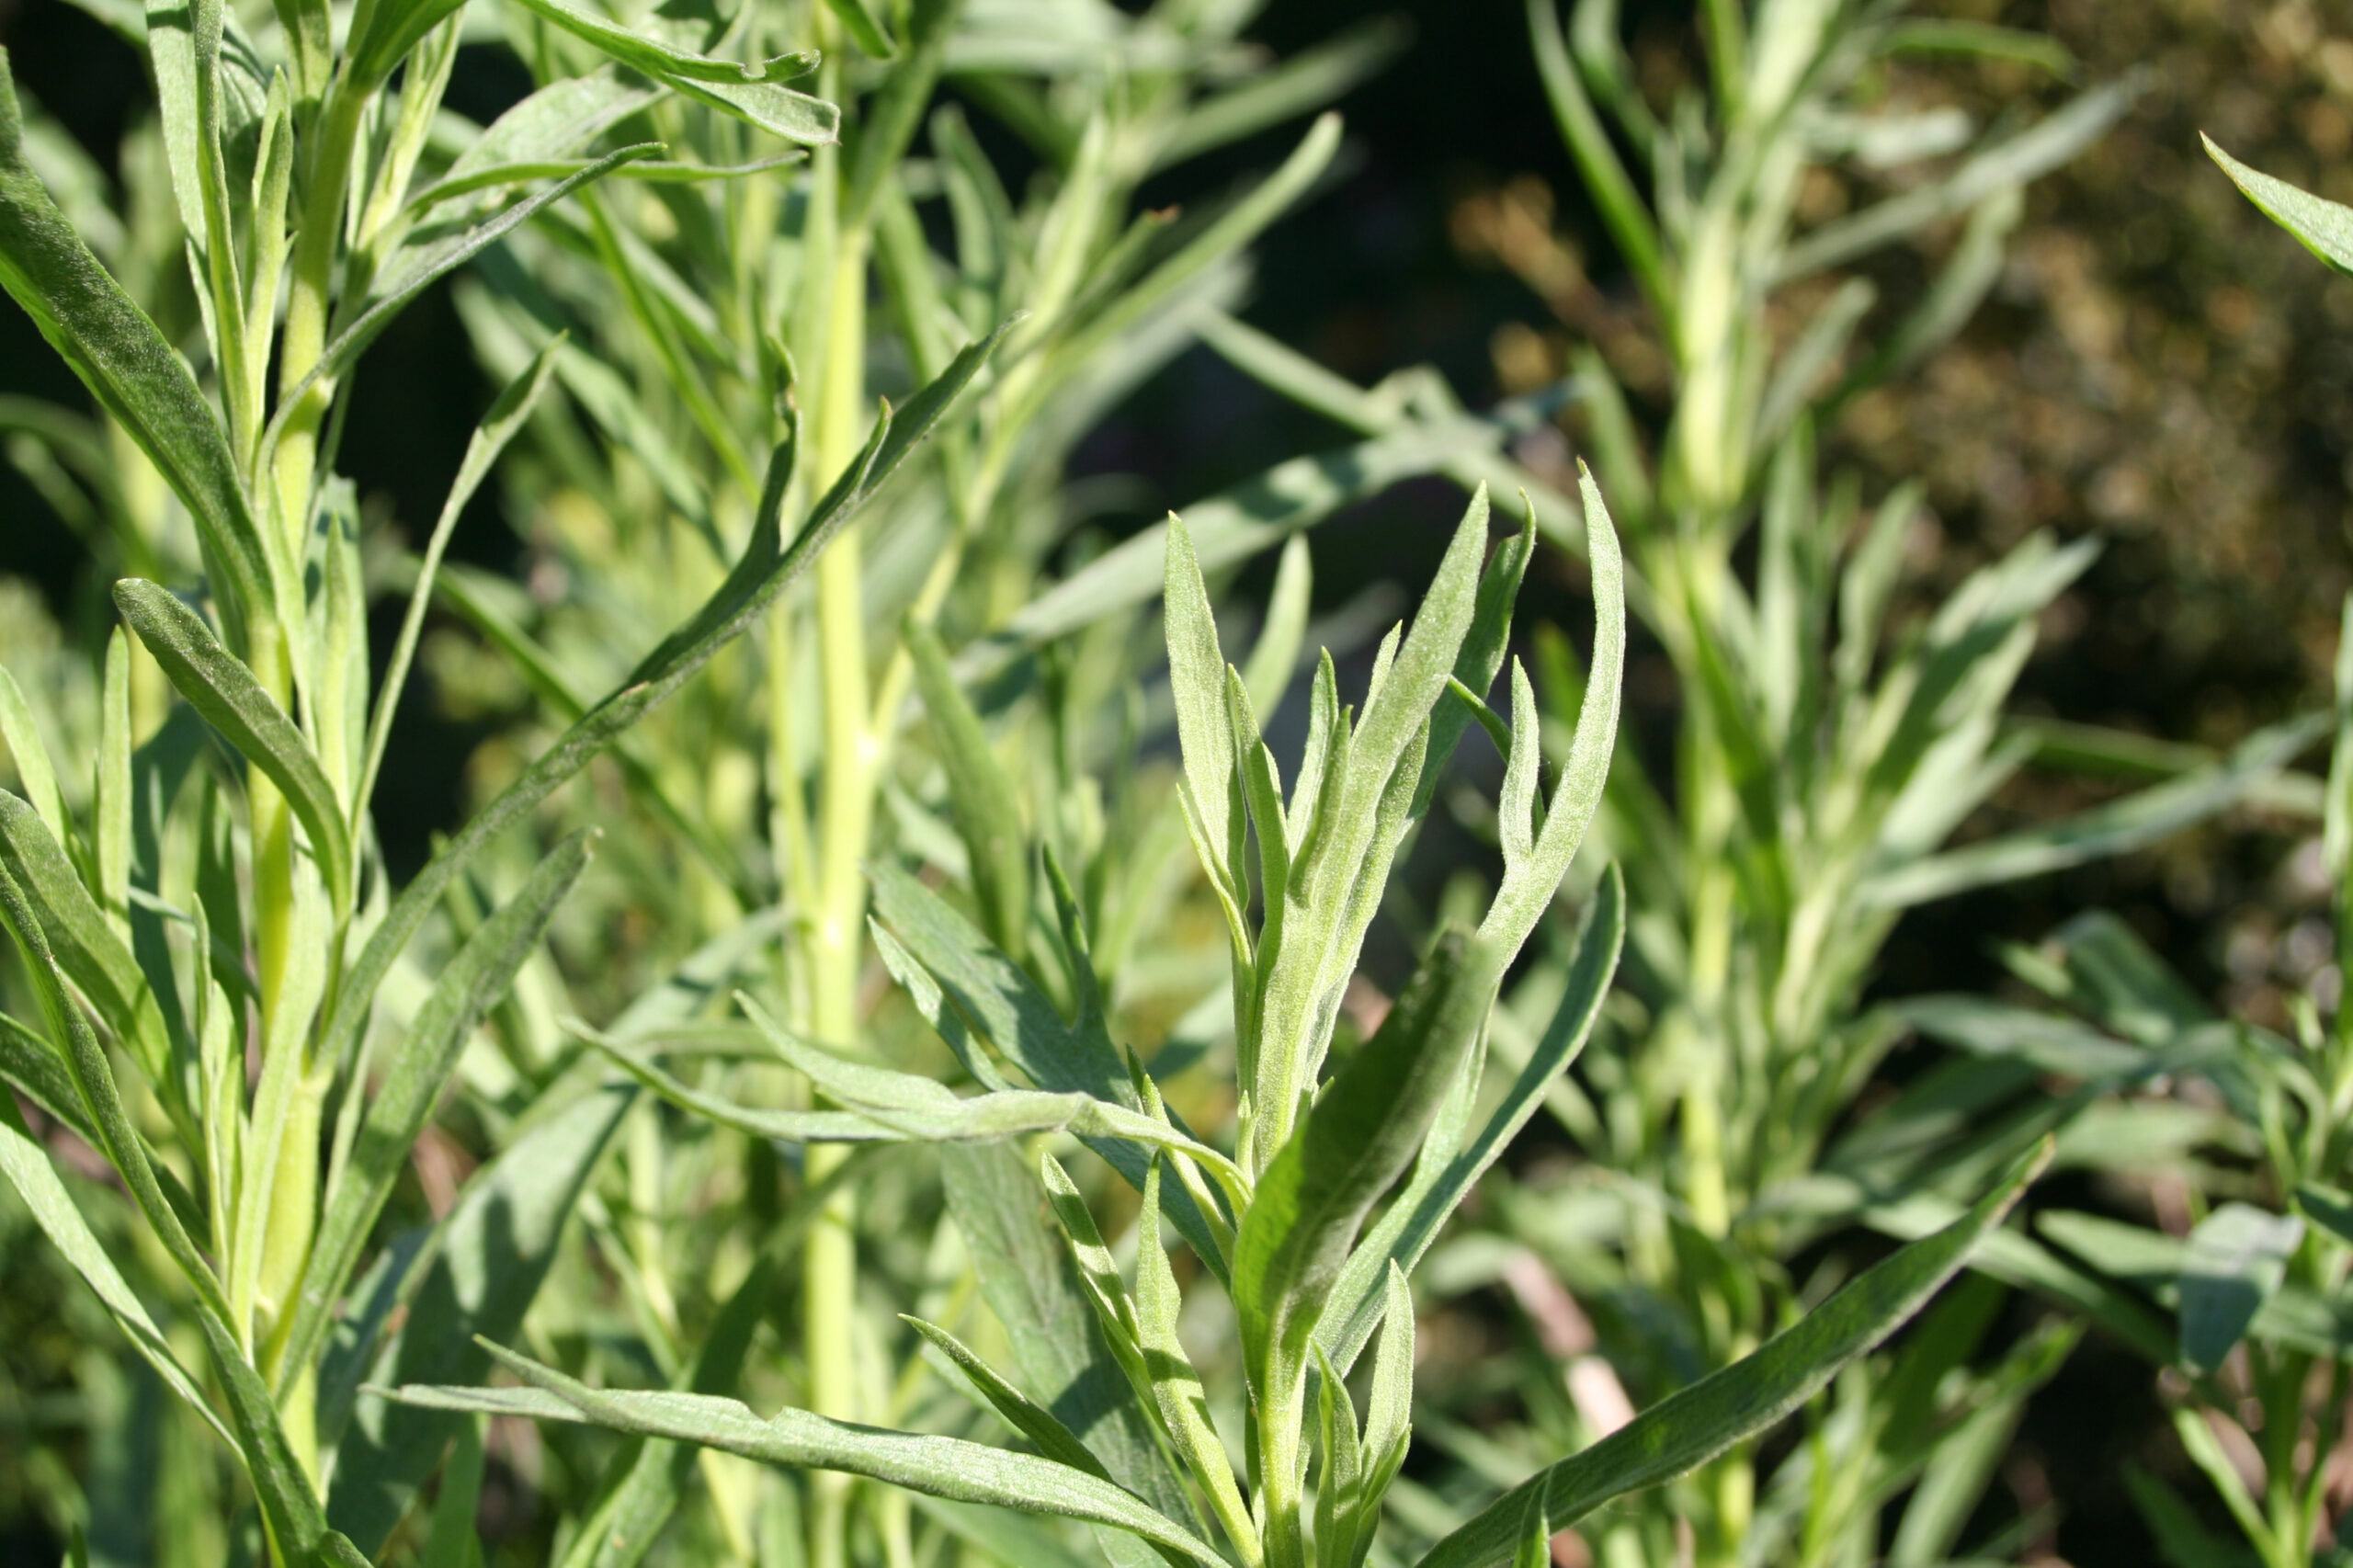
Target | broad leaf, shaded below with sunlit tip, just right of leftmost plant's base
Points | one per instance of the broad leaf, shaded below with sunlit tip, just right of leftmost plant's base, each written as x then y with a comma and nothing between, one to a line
495,1251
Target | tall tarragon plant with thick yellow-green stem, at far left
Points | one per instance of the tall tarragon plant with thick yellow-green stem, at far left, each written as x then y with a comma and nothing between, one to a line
222,896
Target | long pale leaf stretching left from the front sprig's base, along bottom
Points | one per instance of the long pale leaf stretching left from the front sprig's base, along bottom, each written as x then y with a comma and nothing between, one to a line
935,1466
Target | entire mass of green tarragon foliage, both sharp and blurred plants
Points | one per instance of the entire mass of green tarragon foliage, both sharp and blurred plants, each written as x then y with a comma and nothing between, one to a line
888,981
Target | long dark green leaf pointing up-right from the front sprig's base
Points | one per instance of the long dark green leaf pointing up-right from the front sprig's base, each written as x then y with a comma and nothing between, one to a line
1747,1397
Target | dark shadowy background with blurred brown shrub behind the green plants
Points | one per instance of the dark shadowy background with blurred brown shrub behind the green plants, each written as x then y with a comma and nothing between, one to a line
2157,368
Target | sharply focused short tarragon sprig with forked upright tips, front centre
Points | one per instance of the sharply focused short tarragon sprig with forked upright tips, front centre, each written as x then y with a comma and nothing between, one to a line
1116,1423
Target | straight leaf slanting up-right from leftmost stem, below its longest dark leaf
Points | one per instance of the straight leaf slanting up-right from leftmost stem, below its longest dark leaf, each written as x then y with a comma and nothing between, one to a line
415,1079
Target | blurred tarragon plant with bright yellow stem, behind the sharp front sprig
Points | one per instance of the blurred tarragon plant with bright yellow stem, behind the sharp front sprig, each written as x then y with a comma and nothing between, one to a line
756,804
